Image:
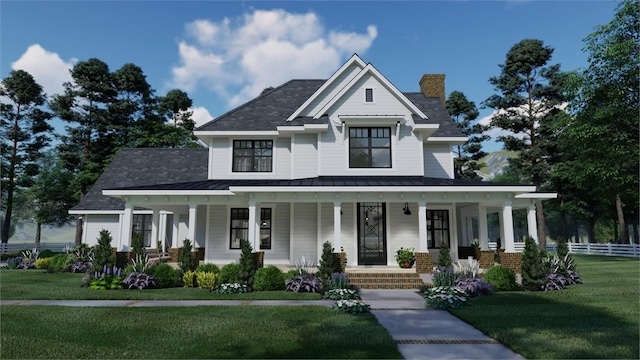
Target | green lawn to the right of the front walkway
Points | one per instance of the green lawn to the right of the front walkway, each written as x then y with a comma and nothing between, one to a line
598,319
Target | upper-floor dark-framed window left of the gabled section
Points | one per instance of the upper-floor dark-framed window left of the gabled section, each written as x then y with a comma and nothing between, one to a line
252,155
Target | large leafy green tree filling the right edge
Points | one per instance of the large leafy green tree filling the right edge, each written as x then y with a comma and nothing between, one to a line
604,132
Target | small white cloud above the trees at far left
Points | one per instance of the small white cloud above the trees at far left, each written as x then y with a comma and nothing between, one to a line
47,68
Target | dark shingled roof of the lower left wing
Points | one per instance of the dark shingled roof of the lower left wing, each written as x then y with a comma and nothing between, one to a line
139,167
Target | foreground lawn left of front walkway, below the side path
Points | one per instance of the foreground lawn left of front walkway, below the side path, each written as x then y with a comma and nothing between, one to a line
190,333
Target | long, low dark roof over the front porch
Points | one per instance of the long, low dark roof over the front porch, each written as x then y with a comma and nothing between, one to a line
322,181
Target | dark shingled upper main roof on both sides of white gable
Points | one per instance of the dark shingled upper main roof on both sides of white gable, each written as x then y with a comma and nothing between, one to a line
268,111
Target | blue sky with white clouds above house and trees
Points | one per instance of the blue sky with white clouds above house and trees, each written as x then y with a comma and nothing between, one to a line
224,53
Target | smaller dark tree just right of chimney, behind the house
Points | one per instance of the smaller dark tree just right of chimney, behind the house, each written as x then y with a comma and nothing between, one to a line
464,112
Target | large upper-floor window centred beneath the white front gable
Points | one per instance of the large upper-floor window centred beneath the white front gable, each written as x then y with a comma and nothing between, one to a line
369,147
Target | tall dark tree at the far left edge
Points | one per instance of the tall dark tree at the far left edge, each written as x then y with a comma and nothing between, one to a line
24,133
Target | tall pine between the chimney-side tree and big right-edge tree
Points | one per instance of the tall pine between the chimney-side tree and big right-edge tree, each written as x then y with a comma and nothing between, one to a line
529,100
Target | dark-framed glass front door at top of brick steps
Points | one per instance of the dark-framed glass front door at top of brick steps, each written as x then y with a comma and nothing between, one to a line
372,231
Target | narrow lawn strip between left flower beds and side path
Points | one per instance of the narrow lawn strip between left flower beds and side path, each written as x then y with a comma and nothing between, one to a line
39,285
